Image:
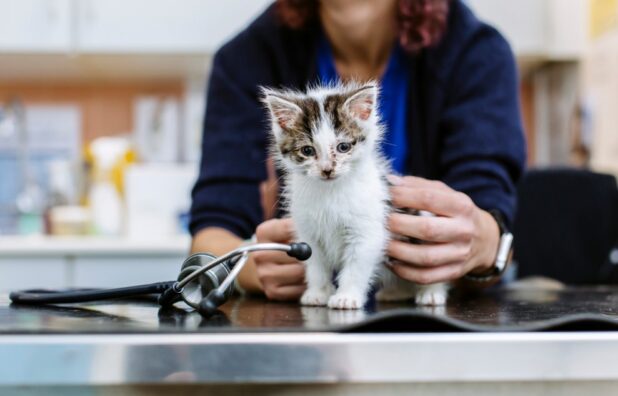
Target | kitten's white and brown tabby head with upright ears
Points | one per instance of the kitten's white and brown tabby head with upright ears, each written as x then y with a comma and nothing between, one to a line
321,133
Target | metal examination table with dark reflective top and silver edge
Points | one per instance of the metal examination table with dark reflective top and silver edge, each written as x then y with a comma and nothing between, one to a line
256,341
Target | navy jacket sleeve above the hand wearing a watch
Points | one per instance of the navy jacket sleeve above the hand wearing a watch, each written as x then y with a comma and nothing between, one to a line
483,146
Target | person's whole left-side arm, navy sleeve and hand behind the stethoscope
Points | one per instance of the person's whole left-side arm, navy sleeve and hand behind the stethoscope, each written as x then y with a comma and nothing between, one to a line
229,201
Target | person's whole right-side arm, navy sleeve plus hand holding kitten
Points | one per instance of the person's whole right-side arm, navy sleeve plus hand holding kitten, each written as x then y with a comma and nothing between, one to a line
482,156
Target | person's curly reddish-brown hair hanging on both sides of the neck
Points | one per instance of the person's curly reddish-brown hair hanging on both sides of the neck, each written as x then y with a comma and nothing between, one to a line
421,22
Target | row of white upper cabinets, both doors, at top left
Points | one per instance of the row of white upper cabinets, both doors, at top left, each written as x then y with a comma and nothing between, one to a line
121,26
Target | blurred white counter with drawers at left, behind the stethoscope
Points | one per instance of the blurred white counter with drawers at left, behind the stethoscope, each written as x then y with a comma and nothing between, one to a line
48,262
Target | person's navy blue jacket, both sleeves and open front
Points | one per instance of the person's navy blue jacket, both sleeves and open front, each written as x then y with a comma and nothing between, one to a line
464,125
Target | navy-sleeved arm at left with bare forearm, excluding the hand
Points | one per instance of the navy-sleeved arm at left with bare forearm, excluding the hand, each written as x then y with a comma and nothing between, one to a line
226,201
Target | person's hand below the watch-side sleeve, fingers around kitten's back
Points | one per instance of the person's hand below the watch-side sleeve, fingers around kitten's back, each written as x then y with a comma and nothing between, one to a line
461,238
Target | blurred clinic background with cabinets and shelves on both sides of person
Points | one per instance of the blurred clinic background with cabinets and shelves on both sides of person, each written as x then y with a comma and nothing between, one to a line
101,105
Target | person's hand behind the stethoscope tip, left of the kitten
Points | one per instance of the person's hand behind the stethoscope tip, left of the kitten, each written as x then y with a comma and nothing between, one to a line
282,277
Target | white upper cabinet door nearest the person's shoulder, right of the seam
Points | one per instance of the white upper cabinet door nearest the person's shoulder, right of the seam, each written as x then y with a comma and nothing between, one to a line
161,26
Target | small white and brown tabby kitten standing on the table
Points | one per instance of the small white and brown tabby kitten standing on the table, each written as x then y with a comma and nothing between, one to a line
327,142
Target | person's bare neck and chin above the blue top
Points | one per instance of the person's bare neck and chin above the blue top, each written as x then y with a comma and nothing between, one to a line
361,34
